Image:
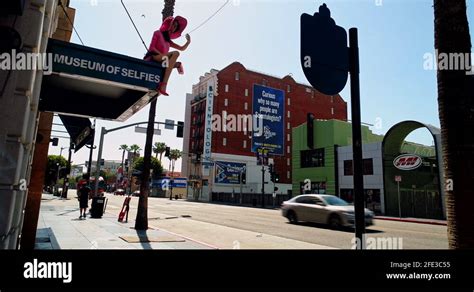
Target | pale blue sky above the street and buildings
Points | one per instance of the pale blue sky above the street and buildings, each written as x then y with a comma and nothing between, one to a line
264,36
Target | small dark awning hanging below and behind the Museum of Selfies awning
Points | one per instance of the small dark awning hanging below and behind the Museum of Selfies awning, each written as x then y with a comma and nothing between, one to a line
79,129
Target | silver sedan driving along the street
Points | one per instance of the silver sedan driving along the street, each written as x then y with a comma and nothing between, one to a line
325,209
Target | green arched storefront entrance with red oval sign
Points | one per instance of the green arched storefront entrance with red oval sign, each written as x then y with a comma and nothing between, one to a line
420,193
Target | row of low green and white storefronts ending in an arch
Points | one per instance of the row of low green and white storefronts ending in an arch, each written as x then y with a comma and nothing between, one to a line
328,168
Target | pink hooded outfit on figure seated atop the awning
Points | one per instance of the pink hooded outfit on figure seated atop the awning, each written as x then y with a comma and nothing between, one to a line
158,43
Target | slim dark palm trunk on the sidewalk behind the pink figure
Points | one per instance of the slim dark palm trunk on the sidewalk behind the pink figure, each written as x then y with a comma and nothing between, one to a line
141,222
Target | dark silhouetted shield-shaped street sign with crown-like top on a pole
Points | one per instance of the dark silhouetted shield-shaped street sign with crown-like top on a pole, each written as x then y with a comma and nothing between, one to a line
324,52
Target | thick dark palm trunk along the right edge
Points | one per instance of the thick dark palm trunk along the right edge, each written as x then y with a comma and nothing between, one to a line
456,103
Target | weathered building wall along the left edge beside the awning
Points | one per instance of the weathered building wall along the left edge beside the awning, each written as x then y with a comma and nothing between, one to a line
19,117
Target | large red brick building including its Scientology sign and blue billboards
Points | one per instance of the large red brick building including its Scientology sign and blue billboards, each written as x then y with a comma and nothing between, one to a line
226,110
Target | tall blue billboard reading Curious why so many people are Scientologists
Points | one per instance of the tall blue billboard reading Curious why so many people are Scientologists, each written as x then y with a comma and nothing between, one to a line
269,109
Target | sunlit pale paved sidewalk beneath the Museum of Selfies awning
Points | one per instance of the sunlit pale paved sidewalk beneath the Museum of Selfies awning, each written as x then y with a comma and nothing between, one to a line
59,227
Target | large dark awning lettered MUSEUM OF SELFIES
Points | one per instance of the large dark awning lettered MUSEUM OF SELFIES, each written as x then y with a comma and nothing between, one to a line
89,82
